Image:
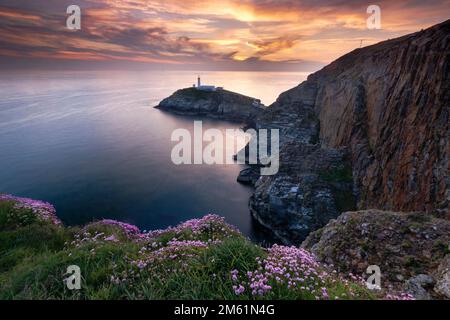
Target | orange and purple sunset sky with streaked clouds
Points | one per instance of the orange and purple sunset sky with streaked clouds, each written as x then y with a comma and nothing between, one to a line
255,35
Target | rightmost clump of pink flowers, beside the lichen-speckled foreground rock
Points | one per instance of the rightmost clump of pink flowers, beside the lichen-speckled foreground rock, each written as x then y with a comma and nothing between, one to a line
294,273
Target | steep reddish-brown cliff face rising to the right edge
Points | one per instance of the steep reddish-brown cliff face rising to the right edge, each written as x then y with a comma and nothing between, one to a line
389,104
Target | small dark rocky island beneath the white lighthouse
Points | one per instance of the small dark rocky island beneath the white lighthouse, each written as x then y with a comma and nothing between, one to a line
221,104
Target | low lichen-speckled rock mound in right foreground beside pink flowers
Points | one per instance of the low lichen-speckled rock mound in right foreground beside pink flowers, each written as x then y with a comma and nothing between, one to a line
409,248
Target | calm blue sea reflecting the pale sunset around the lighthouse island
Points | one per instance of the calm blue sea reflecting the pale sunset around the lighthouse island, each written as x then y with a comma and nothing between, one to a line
92,144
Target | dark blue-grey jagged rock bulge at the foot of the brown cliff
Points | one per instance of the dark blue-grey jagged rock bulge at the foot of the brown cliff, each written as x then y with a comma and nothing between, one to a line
312,186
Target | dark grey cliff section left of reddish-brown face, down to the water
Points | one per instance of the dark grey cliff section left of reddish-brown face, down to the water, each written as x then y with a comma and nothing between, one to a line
314,182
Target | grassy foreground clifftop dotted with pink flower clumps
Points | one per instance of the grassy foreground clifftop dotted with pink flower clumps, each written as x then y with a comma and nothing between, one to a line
199,259
